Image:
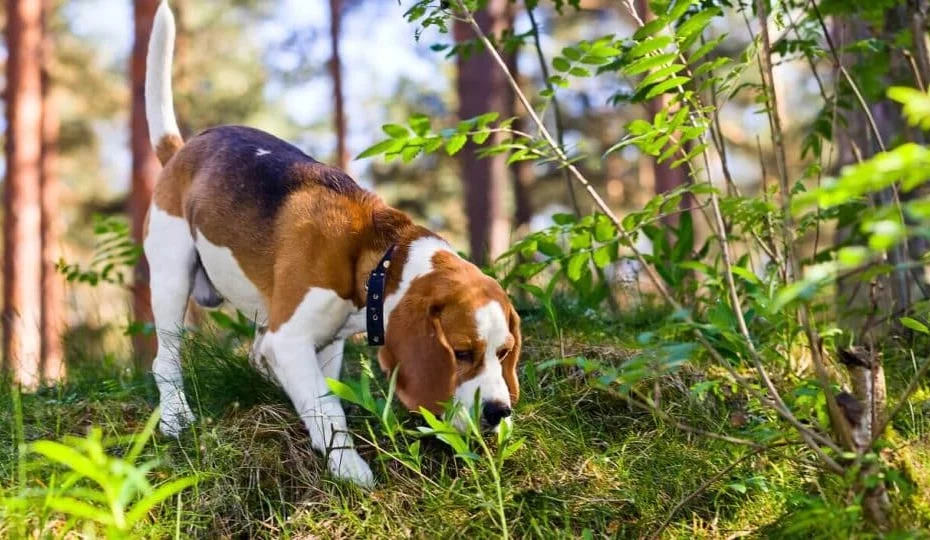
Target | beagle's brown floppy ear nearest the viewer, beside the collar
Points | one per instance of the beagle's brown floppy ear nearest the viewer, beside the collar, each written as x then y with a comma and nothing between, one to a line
416,347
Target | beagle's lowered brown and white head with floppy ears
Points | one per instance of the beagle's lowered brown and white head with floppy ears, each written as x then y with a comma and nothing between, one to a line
454,337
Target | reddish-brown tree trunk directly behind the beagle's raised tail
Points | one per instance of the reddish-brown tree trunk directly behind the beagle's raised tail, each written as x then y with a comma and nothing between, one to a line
144,172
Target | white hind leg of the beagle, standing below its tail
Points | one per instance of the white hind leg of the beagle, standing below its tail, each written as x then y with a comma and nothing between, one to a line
169,248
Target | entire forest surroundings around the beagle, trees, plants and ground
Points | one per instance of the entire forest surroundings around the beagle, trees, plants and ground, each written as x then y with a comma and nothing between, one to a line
712,215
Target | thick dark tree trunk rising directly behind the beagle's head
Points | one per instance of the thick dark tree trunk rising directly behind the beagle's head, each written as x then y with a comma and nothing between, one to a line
482,88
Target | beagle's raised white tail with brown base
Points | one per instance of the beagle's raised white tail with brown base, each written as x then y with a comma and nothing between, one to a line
159,102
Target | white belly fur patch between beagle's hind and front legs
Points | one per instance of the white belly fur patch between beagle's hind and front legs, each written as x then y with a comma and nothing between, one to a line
229,279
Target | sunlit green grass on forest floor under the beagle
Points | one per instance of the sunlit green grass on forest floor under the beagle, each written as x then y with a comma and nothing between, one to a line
591,466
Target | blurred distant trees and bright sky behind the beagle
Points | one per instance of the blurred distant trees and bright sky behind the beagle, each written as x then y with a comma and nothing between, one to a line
326,77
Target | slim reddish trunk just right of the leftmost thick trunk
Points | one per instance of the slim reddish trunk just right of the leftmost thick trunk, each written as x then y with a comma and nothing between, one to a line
52,283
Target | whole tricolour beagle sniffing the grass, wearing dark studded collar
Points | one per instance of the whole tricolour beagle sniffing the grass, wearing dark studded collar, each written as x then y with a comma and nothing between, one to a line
240,216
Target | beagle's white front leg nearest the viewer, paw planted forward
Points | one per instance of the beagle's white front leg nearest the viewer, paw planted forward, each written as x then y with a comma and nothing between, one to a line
296,366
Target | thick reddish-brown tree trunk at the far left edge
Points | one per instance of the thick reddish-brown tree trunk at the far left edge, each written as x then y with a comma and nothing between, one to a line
22,224
